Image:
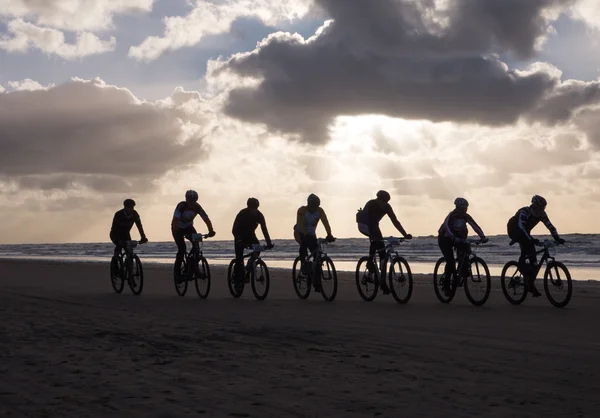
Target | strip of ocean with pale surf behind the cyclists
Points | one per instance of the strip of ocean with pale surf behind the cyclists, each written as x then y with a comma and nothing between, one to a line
581,254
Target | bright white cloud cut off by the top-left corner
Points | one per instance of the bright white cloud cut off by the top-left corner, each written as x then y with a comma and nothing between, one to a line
73,15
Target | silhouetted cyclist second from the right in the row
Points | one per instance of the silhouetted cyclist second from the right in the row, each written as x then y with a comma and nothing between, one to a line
453,234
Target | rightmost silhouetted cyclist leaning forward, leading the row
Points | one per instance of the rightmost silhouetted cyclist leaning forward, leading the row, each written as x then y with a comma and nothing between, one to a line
519,230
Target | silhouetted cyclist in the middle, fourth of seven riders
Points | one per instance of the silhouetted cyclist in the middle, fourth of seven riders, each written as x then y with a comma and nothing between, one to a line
307,219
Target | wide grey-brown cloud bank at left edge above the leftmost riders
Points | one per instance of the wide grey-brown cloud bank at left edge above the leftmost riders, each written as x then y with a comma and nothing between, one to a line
90,135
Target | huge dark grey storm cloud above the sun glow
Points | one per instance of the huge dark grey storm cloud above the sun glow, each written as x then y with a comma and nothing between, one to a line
392,57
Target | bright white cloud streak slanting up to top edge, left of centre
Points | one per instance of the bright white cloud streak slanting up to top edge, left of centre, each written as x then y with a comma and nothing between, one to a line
210,18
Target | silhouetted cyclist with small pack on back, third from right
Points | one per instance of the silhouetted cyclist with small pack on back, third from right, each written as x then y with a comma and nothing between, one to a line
368,224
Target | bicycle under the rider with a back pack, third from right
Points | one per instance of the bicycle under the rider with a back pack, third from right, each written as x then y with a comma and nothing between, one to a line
399,273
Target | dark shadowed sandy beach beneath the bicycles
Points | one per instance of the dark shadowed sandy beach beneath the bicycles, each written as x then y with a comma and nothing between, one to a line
71,347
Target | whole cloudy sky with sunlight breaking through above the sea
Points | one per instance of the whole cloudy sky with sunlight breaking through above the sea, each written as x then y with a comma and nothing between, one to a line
102,100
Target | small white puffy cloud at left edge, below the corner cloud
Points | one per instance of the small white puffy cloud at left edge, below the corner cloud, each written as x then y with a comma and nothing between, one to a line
26,36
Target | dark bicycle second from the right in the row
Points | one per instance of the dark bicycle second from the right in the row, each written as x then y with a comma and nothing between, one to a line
469,269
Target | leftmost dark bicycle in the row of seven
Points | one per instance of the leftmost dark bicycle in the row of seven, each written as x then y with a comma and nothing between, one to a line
122,269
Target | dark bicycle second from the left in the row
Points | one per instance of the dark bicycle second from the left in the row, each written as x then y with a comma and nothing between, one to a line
194,267
